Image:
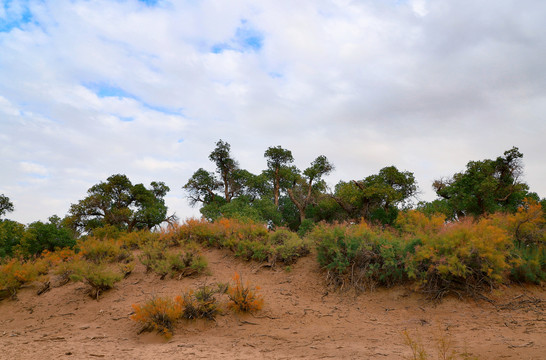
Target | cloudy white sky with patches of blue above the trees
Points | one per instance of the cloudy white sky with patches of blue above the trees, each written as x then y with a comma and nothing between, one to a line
89,89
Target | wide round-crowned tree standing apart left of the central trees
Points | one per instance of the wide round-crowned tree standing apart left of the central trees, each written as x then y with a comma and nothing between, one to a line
119,203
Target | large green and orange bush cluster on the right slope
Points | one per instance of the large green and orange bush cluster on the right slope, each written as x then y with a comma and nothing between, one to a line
464,257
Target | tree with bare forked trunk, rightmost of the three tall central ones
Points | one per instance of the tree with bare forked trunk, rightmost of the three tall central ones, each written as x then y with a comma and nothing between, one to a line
306,186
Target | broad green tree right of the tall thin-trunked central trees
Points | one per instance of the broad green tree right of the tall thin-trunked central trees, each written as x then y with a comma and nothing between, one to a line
377,197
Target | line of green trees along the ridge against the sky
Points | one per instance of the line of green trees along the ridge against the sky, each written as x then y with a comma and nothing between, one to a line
282,195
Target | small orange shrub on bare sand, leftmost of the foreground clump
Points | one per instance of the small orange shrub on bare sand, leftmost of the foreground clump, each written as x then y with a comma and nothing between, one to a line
159,314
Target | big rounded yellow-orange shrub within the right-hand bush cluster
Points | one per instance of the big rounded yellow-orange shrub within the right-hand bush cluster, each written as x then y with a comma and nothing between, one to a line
465,258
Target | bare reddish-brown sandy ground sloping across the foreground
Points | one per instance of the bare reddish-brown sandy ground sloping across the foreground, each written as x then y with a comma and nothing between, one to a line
300,320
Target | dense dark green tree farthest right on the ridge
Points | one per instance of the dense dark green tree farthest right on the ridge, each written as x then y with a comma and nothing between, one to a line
485,186
